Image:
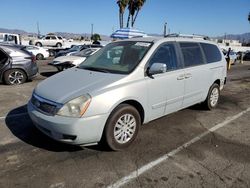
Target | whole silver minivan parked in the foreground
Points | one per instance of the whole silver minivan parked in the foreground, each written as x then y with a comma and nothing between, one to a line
126,84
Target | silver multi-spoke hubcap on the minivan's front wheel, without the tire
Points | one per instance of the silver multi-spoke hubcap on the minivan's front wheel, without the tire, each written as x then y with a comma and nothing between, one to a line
125,128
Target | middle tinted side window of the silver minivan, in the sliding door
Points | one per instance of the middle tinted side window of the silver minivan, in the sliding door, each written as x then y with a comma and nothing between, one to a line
192,54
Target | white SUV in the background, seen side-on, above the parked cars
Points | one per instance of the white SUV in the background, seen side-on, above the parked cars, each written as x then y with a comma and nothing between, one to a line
50,40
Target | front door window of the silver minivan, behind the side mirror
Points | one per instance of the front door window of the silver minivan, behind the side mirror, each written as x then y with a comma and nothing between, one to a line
166,55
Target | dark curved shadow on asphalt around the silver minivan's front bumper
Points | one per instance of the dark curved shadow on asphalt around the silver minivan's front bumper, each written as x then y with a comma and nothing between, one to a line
22,127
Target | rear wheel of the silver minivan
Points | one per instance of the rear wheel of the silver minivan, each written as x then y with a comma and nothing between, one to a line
213,97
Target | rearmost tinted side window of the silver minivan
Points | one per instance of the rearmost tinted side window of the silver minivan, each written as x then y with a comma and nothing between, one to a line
211,52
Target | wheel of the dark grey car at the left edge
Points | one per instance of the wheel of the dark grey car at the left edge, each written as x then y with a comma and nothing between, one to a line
15,77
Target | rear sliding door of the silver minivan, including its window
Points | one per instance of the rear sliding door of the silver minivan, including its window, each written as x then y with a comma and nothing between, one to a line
197,73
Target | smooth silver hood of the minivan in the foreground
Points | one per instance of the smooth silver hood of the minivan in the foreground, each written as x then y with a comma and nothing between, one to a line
73,83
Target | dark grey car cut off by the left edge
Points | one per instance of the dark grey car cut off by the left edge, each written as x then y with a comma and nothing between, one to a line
16,65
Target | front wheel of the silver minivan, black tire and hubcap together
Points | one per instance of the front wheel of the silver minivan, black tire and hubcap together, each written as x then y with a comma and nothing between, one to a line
128,115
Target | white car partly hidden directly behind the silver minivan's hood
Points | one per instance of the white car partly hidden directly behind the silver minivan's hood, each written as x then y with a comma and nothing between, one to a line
74,59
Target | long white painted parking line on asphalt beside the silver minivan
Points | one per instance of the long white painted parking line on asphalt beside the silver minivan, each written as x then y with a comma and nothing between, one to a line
152,164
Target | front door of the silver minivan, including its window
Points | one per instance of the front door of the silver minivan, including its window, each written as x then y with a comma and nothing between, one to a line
166,90
